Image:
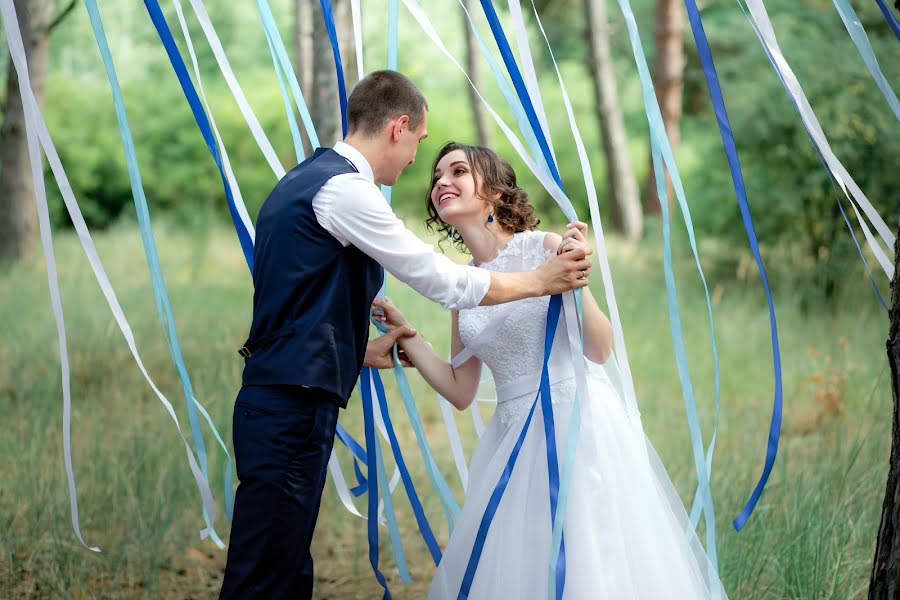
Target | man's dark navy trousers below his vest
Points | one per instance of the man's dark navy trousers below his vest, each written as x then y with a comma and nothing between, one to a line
283,437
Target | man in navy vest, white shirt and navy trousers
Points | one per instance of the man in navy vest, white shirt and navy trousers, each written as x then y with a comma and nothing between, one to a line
322,238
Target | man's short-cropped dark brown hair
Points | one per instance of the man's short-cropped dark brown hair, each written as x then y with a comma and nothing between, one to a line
381,96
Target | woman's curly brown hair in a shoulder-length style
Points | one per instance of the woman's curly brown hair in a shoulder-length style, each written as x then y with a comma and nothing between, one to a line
492,176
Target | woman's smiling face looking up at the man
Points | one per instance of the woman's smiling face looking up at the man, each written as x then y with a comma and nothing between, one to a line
454,192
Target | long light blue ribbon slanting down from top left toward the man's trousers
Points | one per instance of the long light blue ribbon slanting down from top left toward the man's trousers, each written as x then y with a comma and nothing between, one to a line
161,297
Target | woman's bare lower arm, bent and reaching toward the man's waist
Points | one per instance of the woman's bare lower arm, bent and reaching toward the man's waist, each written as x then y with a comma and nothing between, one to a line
459,385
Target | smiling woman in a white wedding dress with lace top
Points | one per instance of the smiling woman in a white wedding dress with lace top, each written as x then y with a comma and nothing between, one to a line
626,533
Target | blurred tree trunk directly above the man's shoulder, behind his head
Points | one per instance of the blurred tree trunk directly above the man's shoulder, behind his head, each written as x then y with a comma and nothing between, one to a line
323,95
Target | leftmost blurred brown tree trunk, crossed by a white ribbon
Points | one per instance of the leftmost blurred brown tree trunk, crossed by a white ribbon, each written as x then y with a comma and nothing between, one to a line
18,217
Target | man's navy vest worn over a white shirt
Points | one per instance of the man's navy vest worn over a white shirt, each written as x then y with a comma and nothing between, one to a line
312,296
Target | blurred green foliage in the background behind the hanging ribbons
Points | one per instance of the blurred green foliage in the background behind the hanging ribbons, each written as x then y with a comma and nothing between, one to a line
793,202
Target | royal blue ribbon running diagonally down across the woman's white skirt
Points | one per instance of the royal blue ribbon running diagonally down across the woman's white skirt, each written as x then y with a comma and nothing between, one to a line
500,488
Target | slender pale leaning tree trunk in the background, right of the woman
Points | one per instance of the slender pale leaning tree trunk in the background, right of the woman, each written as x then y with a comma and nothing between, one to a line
621,184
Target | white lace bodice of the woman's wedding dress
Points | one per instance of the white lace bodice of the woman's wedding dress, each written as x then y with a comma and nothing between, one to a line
516,351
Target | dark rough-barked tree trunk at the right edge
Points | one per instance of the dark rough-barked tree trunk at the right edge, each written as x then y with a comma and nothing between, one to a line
885,582
